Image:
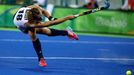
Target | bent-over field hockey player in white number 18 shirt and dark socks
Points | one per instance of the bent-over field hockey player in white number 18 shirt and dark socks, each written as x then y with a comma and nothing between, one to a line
28,20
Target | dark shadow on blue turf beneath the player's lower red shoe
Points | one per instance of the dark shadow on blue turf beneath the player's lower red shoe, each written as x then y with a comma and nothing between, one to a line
58,70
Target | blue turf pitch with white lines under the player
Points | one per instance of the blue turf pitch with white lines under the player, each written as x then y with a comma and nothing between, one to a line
91,55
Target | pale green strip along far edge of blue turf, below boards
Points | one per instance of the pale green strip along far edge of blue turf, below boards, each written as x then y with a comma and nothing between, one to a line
91,34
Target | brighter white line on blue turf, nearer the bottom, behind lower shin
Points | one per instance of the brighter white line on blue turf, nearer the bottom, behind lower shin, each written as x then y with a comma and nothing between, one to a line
71,58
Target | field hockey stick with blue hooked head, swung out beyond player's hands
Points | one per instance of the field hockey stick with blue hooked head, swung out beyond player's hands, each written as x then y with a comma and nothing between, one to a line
107,5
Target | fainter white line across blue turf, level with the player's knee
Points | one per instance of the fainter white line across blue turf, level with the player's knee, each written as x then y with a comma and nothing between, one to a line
75,42
